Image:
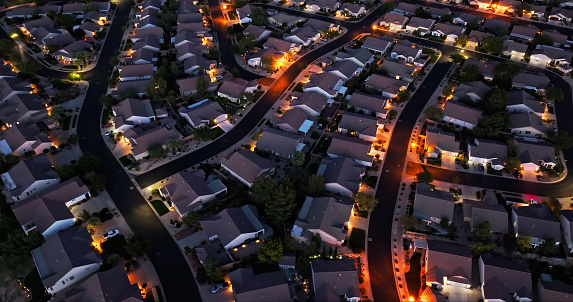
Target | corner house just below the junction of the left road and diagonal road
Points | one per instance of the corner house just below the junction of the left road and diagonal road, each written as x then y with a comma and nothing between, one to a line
189,191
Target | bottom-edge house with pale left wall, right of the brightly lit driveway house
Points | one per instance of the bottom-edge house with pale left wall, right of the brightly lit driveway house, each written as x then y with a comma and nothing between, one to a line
504,279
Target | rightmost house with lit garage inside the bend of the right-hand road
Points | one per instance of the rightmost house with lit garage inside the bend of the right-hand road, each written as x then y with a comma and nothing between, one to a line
535,154
